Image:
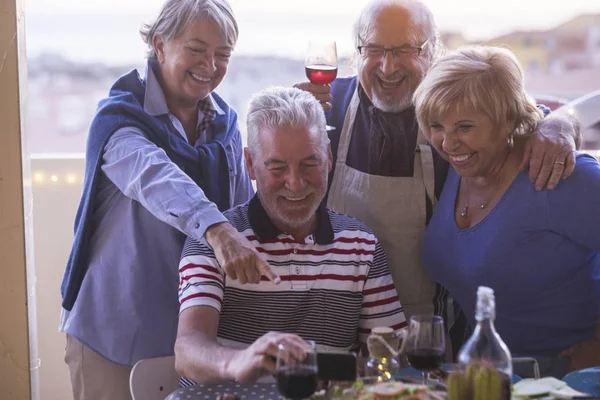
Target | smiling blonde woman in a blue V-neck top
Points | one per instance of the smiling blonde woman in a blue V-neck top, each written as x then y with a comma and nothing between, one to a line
539,250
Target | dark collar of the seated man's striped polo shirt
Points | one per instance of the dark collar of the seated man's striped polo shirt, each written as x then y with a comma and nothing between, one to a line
265,230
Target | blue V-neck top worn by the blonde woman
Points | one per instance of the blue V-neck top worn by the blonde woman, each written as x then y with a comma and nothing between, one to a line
539,251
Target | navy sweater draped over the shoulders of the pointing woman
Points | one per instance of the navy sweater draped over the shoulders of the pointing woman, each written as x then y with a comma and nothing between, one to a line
207,165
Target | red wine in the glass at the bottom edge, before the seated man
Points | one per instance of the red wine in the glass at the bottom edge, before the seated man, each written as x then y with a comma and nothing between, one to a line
297,381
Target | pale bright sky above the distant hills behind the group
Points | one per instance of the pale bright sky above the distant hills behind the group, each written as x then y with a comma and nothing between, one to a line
106,30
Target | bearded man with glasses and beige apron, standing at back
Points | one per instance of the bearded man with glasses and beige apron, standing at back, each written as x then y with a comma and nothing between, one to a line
385,173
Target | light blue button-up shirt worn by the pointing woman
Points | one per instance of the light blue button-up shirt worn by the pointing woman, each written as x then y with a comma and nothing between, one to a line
127,307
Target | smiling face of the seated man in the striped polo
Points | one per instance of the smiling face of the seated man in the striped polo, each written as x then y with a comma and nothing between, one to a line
290,166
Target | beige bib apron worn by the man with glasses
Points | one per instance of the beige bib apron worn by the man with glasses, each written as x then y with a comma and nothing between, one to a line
395,209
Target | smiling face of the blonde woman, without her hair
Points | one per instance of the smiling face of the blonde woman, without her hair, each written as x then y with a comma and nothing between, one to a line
469,141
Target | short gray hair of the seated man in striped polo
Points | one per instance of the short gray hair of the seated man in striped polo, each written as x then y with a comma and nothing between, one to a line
278,107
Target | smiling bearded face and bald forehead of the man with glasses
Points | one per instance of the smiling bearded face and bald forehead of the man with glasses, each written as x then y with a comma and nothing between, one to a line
390,81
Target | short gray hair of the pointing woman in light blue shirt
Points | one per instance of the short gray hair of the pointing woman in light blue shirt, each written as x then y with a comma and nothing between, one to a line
176,15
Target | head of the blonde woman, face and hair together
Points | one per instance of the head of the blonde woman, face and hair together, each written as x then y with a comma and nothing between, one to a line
469,105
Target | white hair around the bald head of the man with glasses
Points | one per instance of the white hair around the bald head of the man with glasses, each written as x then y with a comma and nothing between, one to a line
420,12
